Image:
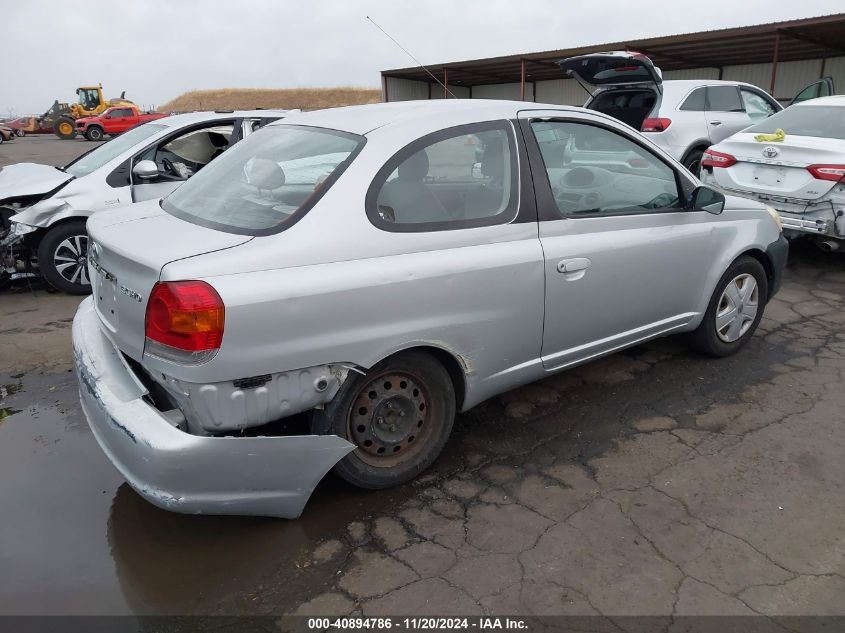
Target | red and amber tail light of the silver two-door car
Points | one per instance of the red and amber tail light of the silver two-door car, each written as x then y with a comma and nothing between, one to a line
184,321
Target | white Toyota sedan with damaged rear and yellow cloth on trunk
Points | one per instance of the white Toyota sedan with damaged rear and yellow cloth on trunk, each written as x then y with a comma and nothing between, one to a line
801,174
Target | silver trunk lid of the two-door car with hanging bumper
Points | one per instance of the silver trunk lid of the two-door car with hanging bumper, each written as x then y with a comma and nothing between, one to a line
128,249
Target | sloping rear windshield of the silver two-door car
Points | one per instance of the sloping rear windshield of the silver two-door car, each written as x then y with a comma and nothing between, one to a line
266,182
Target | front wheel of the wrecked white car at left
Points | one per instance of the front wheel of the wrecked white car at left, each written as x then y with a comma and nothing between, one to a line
67,242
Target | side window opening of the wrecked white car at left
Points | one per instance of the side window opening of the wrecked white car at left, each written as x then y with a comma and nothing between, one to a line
180,157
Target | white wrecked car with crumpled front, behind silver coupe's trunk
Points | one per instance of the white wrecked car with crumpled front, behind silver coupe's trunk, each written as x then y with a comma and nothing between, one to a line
43,209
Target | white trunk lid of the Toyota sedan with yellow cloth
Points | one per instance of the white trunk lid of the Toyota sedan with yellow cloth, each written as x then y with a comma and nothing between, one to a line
778,169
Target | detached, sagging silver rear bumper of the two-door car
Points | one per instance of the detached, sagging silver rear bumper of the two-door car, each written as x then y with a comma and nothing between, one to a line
269,476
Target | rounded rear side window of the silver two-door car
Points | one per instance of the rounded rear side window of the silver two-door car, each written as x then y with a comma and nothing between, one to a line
457,178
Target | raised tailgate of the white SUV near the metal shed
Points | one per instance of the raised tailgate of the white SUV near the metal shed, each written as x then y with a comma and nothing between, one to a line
613,68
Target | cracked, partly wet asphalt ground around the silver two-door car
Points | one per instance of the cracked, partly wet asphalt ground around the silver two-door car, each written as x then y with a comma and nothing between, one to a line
651,482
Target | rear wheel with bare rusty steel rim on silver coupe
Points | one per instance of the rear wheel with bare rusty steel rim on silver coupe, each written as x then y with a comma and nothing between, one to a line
399,416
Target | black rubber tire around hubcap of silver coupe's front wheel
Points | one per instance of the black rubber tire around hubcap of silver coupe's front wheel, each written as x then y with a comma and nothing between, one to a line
706,339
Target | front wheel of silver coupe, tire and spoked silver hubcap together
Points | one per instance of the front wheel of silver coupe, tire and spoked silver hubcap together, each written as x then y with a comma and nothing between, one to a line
734,311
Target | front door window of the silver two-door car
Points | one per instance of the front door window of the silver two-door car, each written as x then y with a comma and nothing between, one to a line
595,171
